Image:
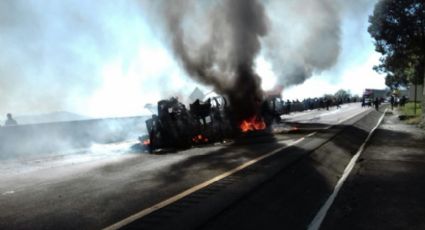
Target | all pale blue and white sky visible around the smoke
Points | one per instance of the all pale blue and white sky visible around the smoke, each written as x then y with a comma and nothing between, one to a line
108,59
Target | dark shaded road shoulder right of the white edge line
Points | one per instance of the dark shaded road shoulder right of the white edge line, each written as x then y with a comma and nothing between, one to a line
385,190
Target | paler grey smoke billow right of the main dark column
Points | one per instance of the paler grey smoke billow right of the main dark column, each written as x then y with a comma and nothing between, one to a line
305,38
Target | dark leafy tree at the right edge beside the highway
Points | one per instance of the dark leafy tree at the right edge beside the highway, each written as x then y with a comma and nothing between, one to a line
398,27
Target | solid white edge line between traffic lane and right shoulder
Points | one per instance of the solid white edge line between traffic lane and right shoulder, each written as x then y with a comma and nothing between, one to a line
320,216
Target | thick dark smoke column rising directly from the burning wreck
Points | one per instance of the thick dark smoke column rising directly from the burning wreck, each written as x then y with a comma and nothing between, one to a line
216,43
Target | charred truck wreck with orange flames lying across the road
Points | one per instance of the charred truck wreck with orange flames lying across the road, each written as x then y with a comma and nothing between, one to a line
205,122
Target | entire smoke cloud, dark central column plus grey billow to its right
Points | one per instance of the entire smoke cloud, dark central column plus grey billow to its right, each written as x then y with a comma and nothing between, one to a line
217,41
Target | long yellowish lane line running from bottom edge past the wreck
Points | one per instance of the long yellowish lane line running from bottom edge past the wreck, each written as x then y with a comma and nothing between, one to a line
187,192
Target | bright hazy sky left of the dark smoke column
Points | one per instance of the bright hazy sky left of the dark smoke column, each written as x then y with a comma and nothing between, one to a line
80,56
